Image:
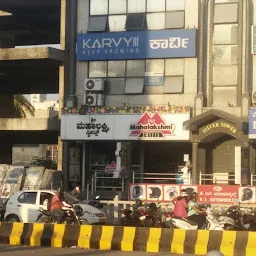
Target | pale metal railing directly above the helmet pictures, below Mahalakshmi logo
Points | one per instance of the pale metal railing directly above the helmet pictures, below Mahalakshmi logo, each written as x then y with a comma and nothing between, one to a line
169,178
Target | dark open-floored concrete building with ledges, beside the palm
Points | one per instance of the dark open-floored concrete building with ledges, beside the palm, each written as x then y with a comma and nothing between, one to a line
28,68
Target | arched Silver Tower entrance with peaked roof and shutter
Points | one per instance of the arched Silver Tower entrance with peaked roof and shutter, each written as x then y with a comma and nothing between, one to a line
220,149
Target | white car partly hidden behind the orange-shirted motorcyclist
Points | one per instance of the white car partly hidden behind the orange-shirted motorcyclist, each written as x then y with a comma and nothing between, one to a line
23,206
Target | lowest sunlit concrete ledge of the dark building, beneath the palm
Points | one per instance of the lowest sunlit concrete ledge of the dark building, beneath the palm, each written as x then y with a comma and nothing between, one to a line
29,124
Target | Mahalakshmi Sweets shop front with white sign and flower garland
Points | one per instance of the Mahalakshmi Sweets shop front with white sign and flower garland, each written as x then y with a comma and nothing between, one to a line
110,147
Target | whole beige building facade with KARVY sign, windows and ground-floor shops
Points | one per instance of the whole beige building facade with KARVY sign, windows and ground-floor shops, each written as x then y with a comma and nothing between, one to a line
163,82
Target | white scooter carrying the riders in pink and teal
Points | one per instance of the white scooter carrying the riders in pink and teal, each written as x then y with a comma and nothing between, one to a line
212,222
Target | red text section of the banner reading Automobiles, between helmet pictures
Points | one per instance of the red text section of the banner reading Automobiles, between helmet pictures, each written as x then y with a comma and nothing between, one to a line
218,194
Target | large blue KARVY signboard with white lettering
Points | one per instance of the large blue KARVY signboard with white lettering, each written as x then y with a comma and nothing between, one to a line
177,43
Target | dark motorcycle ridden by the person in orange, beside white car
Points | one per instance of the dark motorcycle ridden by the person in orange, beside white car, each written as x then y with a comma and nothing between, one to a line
72,215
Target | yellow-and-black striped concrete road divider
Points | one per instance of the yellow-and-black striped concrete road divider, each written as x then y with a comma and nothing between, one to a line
197,242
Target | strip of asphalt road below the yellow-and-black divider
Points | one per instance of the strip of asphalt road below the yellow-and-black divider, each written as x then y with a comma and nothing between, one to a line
6,250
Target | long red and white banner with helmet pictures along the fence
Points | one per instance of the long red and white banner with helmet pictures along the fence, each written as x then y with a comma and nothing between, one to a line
207,194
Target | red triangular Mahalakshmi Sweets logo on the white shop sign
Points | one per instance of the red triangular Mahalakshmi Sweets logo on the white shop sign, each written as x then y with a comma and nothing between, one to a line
152,126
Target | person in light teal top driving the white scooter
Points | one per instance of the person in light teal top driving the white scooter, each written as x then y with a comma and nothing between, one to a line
194,213
